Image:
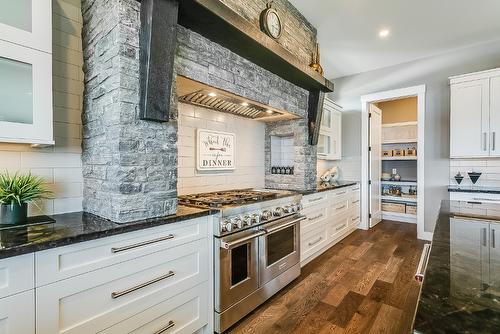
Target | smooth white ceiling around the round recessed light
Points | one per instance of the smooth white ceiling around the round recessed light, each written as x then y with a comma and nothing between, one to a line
348,30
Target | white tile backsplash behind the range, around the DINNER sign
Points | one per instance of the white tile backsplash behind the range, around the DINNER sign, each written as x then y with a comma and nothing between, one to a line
249,153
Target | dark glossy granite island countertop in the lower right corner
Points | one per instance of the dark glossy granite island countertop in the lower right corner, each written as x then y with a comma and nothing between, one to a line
461,288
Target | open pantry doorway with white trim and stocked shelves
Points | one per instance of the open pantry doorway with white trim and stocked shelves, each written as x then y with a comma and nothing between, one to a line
392,185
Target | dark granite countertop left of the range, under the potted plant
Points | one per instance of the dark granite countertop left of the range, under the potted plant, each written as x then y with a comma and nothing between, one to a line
70,228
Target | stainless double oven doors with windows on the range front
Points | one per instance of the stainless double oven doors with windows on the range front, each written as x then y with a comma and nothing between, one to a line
249,259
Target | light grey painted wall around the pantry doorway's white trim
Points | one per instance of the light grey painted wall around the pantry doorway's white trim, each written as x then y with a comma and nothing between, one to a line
434,73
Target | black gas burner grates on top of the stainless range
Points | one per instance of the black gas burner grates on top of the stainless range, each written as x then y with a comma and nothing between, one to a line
219,199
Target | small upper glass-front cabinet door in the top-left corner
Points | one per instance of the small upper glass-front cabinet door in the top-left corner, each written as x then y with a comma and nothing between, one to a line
27,23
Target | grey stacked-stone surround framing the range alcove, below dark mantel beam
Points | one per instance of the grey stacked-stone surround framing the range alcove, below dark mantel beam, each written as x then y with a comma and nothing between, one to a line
130,165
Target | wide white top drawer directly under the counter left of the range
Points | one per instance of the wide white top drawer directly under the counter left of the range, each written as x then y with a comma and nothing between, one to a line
65,262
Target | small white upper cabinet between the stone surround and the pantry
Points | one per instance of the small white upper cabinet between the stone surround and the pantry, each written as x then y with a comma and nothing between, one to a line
330,136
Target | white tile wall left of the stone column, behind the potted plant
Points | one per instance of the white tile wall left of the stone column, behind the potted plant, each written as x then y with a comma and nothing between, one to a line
60,166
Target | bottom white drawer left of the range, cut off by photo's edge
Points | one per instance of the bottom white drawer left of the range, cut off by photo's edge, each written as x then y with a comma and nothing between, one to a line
184,313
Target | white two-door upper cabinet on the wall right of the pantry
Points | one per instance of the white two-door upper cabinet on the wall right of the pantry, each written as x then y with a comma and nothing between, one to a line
475,115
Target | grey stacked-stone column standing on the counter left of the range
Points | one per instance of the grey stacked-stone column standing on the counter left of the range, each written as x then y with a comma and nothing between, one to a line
129,165
